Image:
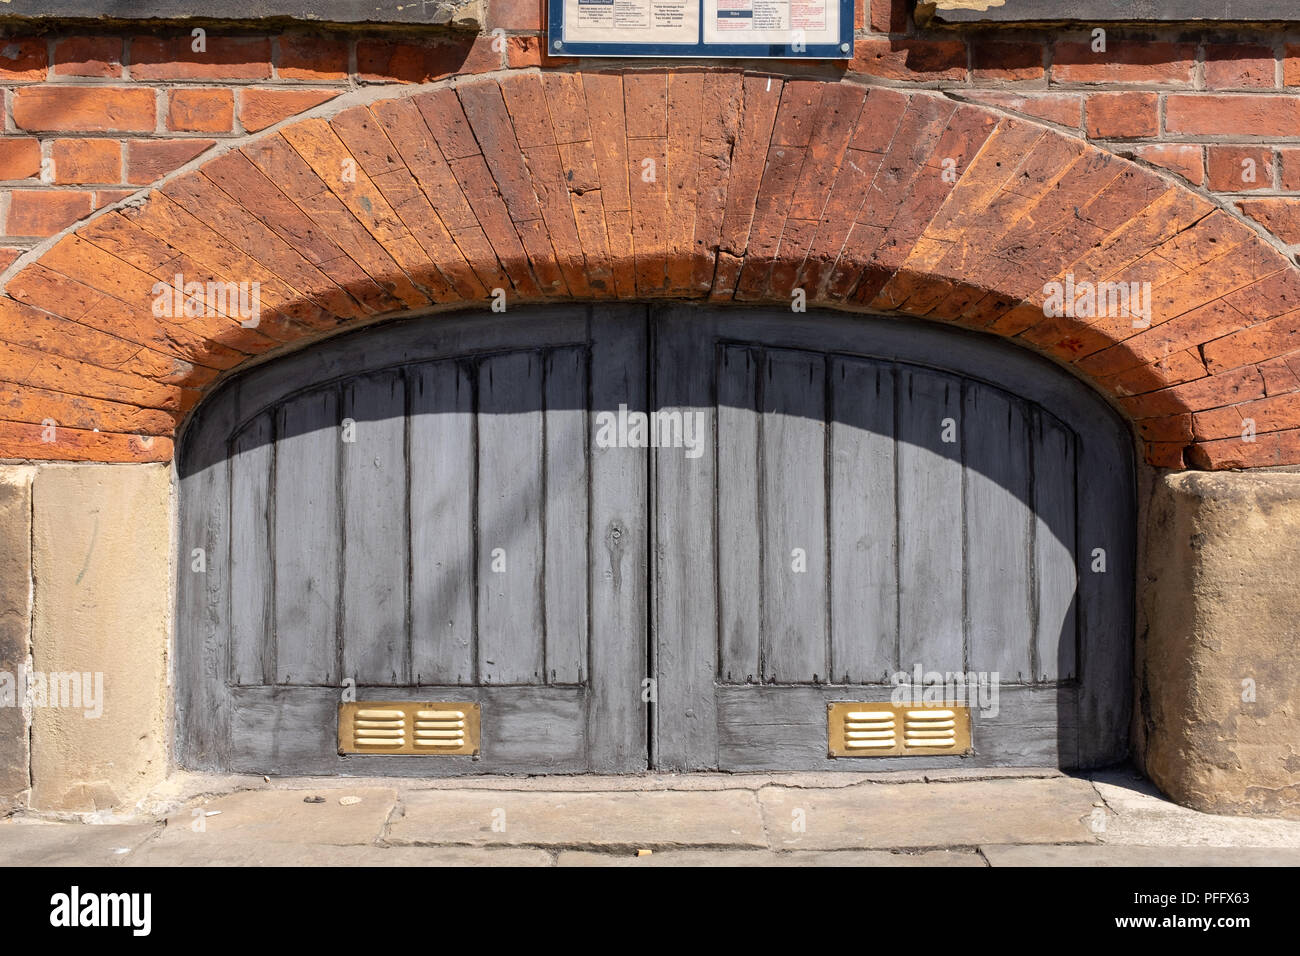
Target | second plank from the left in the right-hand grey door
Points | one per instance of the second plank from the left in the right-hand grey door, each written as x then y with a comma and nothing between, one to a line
792,390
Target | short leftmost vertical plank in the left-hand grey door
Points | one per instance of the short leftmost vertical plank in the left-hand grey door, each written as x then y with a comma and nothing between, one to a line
252,582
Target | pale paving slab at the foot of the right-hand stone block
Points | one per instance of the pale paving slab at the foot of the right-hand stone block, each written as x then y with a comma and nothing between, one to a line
1142,816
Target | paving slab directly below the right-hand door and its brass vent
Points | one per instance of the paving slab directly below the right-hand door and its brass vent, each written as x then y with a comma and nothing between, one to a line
930,815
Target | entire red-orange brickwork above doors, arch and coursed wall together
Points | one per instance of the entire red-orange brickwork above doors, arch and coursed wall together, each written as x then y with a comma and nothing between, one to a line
466,191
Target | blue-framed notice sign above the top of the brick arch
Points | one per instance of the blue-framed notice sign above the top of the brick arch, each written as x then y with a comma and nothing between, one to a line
717,29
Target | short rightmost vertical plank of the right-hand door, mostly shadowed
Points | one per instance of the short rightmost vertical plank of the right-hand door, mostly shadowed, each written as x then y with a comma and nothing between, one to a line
1055,576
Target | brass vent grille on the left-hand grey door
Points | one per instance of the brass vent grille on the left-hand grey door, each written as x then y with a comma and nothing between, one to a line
408,728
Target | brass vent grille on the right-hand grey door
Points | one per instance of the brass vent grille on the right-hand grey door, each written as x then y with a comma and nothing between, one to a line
861,729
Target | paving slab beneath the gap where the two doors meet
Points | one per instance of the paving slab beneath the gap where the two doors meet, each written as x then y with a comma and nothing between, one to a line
651,820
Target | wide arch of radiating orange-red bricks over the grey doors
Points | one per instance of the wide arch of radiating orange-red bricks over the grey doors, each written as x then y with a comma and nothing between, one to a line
714,185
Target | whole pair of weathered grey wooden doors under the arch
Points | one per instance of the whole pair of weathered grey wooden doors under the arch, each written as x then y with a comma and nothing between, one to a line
651,538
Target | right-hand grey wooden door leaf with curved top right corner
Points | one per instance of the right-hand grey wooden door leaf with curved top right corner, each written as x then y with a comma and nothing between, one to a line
877,498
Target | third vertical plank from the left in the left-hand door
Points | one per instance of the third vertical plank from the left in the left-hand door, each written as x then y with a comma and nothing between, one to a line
375,531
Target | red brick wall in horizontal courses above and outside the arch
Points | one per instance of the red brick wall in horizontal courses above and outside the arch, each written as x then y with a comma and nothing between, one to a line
111,113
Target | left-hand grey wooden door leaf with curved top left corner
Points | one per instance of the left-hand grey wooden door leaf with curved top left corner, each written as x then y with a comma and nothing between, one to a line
418,509
